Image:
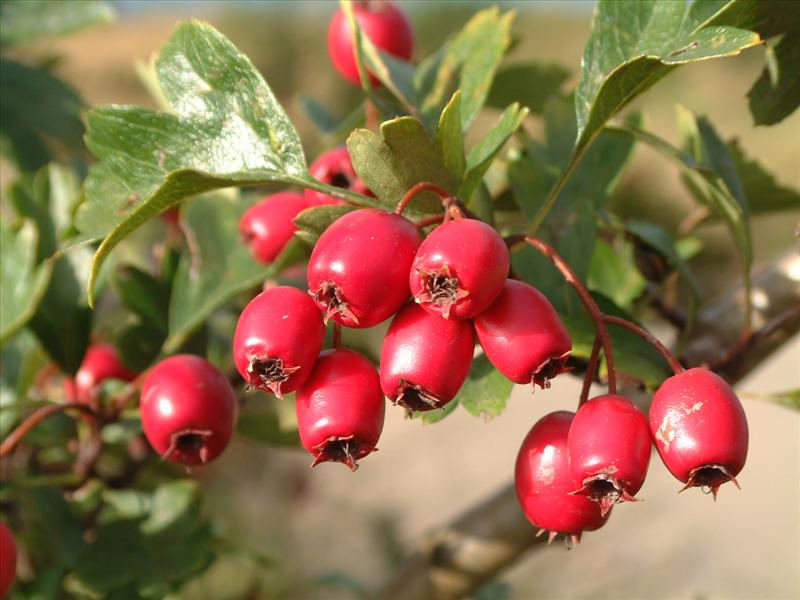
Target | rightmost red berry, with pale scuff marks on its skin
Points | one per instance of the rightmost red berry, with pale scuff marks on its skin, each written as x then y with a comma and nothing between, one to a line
700,429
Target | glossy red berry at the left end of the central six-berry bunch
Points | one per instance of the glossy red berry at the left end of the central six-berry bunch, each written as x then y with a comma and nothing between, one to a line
277,339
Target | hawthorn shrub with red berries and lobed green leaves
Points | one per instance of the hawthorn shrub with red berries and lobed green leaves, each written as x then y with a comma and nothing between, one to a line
121,356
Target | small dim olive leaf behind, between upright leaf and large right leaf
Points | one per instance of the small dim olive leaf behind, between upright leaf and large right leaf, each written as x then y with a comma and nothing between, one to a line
530,84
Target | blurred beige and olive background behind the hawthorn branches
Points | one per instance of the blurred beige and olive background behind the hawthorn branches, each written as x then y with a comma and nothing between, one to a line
340,528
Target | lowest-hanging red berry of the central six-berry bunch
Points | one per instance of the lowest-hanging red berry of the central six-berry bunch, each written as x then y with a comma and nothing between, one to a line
340,408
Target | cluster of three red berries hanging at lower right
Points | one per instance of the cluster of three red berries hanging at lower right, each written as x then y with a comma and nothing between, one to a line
572,467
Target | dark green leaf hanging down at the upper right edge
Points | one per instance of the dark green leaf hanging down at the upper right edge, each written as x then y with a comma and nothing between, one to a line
776,93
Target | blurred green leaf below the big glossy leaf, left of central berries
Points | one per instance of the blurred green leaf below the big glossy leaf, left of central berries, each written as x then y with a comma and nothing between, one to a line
221,268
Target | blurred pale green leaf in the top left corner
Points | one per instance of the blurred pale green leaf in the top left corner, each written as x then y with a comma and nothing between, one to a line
29,20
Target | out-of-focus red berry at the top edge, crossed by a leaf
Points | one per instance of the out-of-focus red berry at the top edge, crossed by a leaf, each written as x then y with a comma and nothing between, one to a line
383,23
